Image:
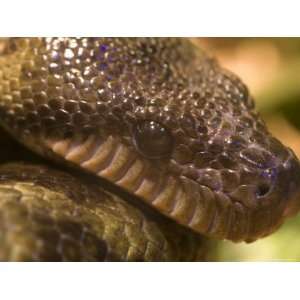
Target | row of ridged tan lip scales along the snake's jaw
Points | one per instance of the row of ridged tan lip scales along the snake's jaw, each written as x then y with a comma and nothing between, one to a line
193,205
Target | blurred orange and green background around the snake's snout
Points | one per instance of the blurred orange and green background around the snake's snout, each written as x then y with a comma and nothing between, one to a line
271,69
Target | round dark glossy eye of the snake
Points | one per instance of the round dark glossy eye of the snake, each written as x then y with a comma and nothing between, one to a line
152,139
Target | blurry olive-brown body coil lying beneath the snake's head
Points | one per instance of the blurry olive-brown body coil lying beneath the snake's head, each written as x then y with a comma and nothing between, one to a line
46,215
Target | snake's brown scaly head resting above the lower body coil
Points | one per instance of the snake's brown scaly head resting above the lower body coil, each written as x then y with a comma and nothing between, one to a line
158,118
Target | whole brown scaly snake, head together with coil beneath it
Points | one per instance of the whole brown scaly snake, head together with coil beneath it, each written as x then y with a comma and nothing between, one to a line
145,149
